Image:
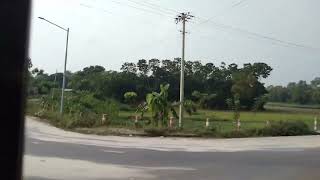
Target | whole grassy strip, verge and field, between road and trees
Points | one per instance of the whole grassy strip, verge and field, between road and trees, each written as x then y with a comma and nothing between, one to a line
221,124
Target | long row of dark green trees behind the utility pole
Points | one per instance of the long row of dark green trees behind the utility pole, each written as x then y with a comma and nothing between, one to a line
213,86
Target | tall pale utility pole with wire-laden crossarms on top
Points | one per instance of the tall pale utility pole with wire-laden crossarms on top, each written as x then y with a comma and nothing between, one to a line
182,17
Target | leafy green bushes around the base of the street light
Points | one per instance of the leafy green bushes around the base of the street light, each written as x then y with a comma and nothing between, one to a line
81,109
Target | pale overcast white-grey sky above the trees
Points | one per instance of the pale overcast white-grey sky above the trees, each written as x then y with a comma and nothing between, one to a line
115,31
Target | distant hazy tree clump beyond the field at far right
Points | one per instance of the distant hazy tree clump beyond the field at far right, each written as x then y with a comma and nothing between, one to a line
300,93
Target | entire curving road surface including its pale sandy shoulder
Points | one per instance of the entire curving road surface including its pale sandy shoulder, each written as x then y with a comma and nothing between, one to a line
54,154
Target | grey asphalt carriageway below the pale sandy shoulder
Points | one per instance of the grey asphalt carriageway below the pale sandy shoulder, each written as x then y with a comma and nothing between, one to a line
52,160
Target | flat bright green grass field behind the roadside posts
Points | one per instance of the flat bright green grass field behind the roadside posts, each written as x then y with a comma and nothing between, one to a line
222,120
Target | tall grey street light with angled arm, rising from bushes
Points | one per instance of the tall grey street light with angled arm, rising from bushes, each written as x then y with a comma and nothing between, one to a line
65,63
